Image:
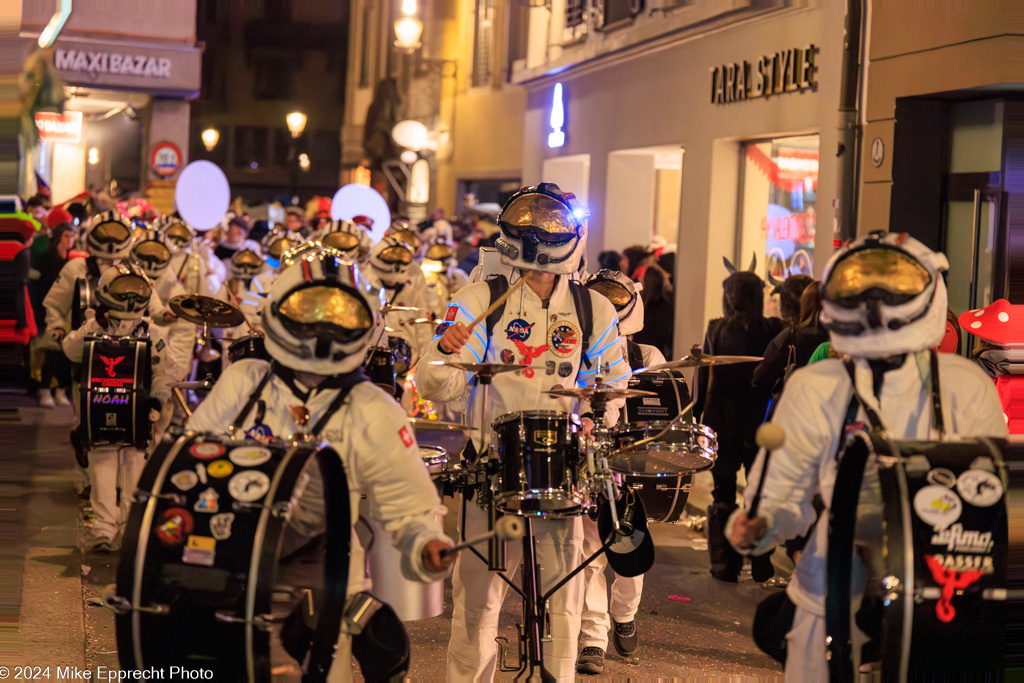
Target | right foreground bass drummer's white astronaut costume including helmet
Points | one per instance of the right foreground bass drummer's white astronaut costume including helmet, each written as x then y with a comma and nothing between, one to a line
885,305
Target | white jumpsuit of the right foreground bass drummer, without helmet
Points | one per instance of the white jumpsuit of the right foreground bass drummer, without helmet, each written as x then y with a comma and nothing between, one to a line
812,413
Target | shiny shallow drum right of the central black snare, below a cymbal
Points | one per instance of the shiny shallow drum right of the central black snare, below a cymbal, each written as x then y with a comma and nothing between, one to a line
686,449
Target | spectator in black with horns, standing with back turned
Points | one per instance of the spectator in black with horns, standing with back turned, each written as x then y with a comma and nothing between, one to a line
728,403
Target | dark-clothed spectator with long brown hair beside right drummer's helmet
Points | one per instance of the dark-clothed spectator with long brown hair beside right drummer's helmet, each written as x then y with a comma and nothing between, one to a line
803,337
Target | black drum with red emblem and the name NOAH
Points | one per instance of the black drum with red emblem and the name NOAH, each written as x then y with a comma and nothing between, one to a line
116,373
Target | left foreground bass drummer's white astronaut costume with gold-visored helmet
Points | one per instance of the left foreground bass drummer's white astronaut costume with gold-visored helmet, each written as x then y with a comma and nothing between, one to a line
319,321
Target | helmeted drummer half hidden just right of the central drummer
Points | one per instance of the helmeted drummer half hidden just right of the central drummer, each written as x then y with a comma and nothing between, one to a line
601,616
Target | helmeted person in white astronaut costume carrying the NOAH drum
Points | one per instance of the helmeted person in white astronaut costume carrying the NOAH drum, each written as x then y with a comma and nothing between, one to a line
123,294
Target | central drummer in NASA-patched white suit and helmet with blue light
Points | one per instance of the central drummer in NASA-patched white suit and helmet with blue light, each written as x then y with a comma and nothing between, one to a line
544,233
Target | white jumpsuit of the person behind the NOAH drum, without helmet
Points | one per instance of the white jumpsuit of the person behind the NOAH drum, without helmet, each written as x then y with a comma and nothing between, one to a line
113,467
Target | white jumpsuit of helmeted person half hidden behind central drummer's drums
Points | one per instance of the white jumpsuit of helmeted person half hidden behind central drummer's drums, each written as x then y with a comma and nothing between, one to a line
626,591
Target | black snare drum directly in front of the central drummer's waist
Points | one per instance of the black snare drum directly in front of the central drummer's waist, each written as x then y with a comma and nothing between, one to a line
540,464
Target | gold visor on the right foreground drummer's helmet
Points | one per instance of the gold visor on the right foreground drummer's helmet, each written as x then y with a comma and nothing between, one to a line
886,270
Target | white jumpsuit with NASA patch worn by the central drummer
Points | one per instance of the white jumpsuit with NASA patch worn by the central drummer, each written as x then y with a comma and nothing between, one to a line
547,341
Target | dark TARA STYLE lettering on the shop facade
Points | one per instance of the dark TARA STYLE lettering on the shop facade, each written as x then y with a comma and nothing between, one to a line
789,71
